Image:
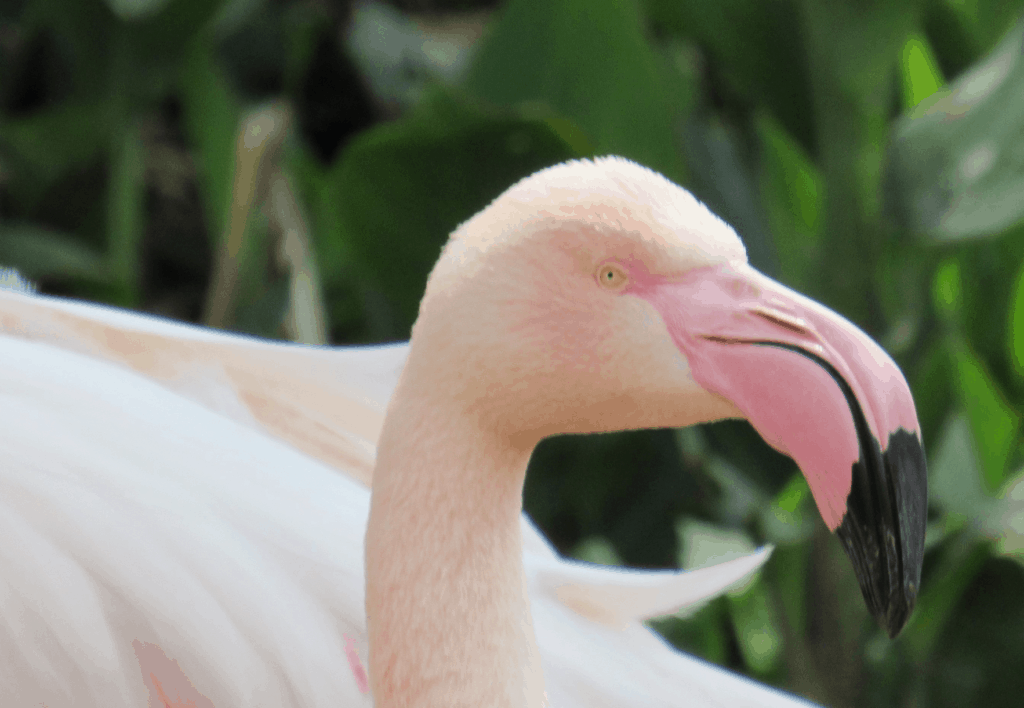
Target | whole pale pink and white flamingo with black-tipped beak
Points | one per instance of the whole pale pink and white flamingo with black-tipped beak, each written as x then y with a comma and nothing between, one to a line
187,518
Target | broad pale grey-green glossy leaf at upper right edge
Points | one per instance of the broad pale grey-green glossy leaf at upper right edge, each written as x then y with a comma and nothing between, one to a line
957,163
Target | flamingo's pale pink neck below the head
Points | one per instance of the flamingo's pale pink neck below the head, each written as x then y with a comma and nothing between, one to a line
448,613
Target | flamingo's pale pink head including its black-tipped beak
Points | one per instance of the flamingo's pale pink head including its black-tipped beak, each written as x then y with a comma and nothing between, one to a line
598,297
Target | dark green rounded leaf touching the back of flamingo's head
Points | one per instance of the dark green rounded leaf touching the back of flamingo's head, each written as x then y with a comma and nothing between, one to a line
402,188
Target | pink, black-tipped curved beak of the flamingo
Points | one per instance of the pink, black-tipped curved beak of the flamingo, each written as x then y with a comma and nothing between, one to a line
819,390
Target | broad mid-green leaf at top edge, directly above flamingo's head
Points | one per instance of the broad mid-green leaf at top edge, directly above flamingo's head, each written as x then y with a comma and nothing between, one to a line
589,61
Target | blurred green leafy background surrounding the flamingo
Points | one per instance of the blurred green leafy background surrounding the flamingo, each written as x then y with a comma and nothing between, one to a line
291,169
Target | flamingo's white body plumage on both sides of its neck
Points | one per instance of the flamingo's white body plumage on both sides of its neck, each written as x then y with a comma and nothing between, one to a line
156,486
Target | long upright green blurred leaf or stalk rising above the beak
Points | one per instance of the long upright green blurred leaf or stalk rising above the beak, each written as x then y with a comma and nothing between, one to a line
852,49
